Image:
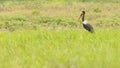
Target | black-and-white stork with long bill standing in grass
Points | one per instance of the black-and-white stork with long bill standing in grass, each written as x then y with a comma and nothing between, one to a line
86,25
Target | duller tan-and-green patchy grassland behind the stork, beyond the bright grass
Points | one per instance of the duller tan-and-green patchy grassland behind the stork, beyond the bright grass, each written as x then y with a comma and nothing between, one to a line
35,14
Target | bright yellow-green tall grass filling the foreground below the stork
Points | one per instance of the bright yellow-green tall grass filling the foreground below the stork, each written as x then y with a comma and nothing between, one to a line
60,49
